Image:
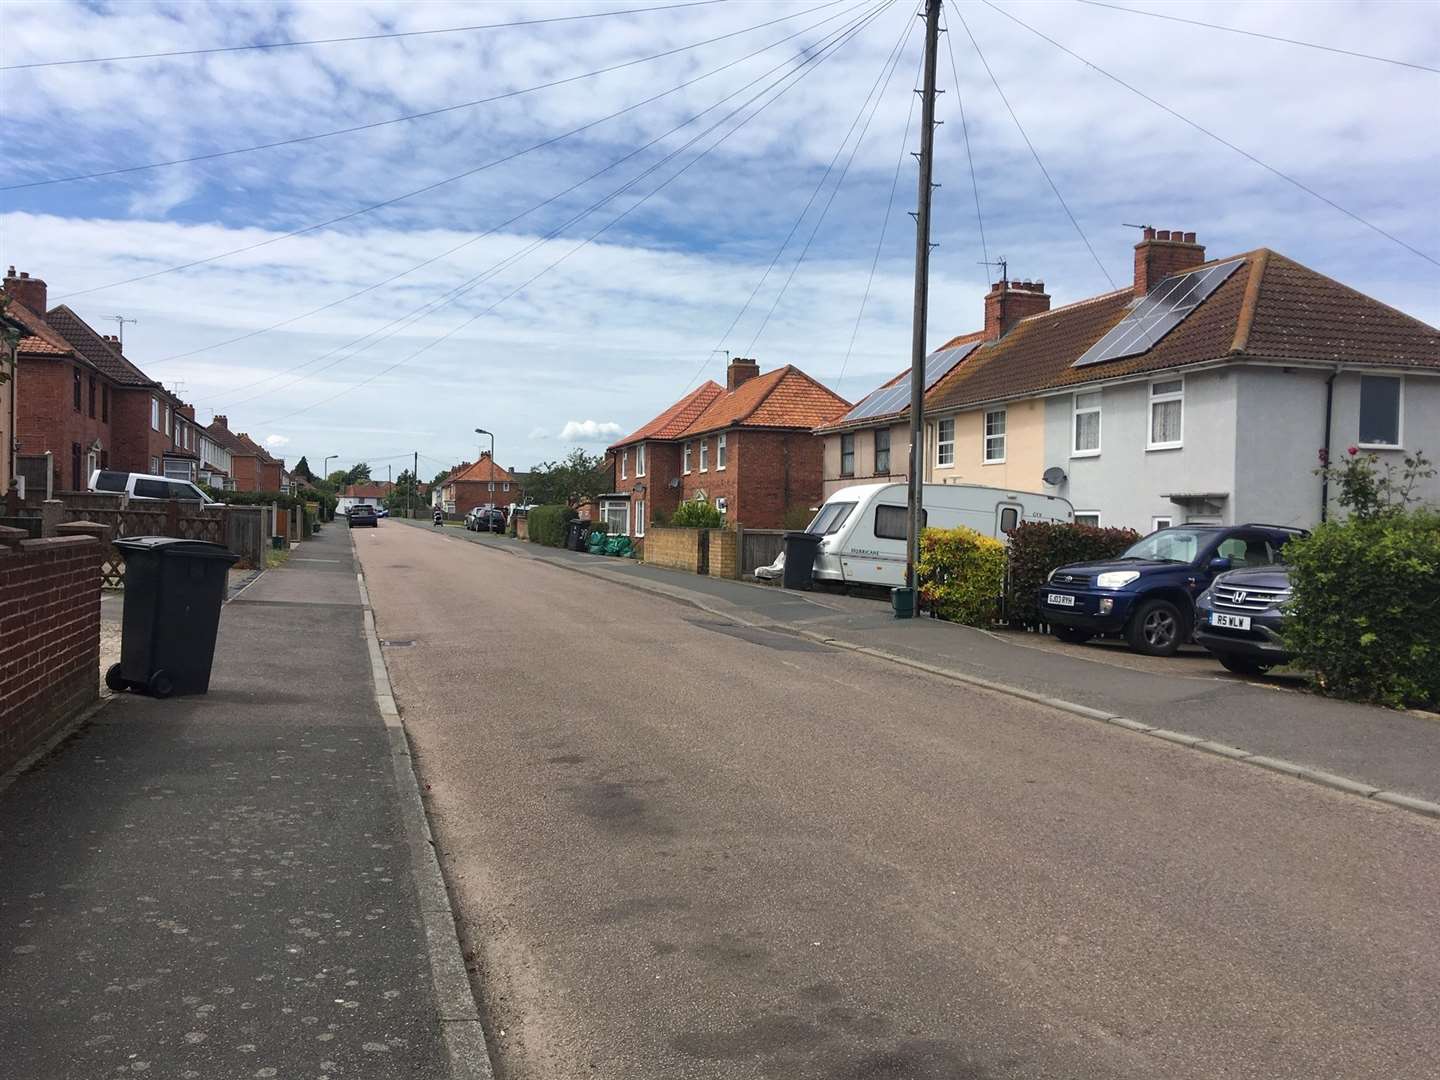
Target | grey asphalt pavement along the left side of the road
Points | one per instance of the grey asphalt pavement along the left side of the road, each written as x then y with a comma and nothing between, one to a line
222,886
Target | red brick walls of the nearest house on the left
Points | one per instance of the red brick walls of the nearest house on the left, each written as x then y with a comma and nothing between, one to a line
47,418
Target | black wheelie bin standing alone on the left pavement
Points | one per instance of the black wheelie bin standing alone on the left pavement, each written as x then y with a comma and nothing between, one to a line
174,595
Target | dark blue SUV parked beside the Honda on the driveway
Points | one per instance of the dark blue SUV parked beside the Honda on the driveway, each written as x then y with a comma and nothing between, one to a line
1148,594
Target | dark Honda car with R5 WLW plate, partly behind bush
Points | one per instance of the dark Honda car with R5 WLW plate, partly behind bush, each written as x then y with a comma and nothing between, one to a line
1241,618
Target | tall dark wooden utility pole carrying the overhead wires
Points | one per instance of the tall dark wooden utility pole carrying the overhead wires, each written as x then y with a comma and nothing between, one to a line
922,303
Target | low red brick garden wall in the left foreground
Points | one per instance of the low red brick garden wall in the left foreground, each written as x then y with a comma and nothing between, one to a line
50,640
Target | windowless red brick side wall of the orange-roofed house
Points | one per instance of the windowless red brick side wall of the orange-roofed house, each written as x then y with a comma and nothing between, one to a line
774,473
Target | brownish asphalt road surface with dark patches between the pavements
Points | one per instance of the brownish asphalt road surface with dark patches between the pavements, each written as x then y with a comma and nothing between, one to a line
682,849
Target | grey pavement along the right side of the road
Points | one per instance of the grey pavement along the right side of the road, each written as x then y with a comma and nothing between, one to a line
1383,748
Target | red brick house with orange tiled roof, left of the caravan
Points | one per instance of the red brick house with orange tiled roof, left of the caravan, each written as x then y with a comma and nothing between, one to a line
747,449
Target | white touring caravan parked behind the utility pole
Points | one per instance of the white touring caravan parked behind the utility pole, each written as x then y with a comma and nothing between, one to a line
865,526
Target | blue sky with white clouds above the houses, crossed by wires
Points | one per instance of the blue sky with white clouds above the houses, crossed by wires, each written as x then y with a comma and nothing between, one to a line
621,328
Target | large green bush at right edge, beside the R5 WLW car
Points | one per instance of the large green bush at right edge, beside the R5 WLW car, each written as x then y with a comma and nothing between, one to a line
1366,610
